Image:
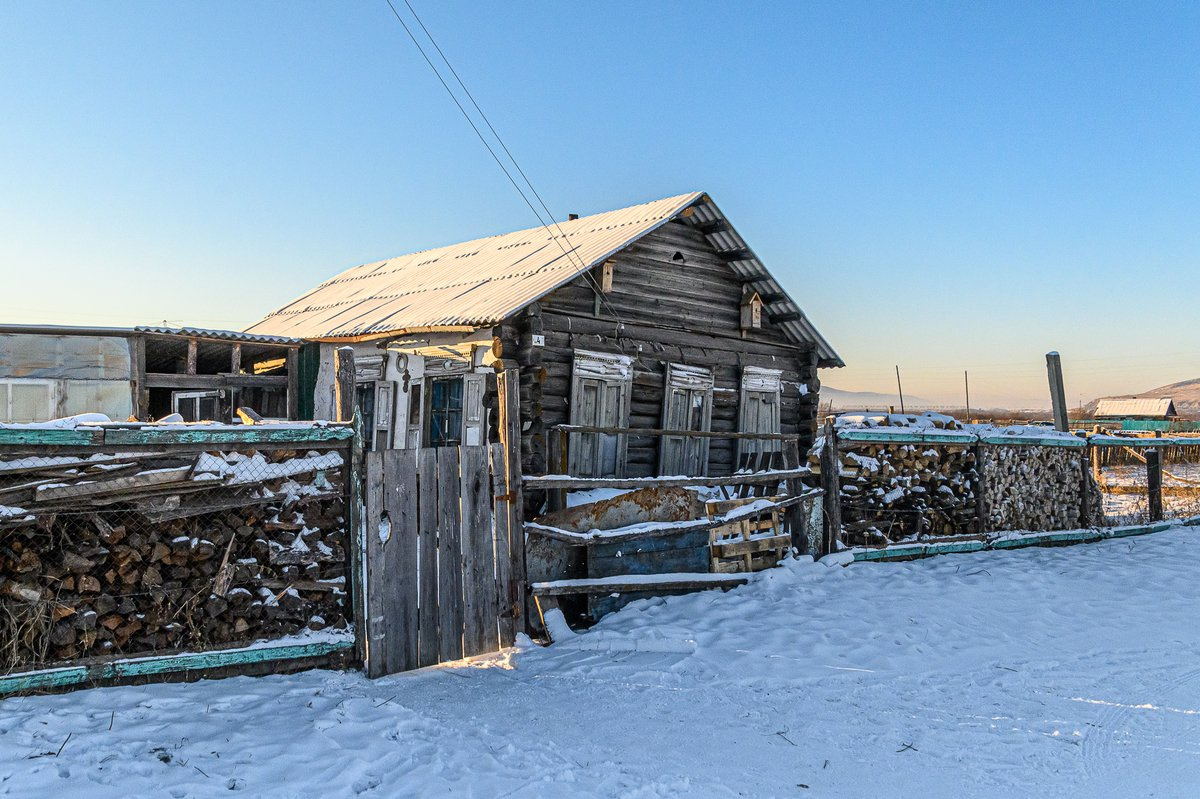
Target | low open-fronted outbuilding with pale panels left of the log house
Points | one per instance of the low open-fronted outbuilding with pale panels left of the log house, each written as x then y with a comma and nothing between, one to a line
147,374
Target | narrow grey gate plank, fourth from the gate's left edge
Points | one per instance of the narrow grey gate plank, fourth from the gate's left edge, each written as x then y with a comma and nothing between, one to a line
449,570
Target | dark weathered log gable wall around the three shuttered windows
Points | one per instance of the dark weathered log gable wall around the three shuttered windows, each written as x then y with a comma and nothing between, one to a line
675,301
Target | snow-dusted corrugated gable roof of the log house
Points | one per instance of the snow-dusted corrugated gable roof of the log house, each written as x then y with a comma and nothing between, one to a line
481,283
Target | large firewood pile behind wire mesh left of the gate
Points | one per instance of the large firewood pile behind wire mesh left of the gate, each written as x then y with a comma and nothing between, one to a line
149,555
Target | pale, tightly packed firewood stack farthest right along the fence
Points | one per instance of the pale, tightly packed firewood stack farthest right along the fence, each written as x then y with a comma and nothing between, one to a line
1039,489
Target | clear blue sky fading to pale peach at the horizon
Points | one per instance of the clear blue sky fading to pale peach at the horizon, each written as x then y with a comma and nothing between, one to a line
943,187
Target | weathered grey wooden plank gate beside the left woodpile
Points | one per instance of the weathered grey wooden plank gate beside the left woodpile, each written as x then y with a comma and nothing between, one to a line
442,538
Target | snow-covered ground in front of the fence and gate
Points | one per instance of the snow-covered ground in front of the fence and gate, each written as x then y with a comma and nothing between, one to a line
1065,672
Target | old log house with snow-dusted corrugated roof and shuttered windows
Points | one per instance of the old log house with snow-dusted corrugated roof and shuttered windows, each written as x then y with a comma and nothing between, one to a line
657,316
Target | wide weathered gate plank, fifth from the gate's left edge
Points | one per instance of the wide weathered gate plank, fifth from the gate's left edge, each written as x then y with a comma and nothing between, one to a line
478,560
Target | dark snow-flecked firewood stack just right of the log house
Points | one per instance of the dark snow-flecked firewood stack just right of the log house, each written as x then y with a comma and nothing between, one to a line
896,492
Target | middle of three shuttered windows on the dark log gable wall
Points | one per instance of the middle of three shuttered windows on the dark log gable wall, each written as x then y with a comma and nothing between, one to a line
687,406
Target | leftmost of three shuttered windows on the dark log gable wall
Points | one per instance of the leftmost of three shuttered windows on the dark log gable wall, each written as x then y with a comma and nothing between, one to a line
601,394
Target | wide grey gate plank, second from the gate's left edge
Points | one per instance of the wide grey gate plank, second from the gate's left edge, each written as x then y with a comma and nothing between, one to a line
401,502
